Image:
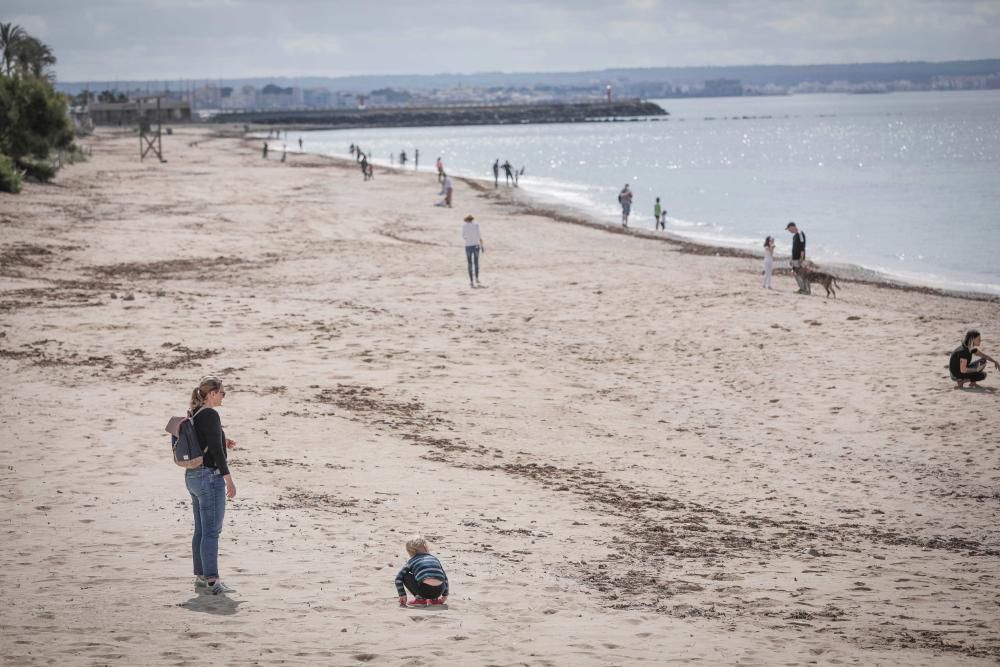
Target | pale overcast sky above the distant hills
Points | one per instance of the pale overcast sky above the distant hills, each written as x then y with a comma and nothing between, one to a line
192,39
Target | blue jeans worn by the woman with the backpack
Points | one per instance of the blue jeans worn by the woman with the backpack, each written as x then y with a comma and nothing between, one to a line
208,499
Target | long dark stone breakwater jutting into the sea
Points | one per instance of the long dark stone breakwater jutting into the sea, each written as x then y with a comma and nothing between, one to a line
464,115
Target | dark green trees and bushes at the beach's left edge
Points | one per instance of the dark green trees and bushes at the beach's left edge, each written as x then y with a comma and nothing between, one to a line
36,134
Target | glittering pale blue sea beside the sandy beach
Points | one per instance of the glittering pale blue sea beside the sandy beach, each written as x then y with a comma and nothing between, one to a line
907,184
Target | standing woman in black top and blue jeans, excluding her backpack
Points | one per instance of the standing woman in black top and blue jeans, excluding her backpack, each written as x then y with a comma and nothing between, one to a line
210,484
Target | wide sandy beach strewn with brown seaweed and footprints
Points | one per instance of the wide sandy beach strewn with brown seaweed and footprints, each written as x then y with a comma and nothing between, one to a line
623,453
